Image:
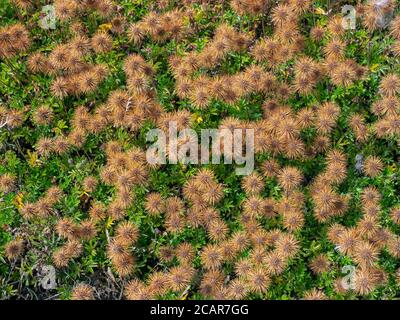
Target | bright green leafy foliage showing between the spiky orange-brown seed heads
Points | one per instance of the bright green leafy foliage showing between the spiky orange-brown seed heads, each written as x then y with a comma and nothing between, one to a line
19,88
